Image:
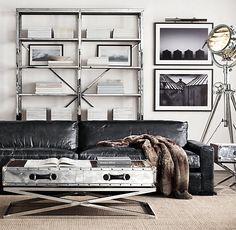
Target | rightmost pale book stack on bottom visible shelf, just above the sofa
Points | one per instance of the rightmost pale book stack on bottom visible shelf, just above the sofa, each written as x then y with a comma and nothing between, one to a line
123,113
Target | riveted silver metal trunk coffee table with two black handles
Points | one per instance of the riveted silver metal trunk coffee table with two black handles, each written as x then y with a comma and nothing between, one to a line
106,190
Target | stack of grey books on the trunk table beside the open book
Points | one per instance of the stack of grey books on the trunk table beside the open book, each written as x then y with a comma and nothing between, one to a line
113,162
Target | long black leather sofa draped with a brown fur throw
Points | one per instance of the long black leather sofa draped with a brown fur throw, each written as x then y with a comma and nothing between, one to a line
43,139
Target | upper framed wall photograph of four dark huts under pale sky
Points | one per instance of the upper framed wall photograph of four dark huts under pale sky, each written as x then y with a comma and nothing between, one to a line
182,44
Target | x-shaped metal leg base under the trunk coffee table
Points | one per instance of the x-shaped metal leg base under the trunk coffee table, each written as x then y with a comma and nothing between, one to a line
92,203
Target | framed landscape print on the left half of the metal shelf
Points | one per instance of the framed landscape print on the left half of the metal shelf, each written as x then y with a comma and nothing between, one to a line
40,54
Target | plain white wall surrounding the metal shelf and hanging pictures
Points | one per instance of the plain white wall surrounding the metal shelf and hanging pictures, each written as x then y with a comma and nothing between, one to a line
216,11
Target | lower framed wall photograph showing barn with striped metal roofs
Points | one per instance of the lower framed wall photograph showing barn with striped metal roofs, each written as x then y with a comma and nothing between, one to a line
183,89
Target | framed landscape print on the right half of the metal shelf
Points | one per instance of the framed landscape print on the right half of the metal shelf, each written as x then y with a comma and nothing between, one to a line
118,55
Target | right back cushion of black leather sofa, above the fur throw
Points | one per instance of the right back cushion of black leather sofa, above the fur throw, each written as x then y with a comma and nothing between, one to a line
90,132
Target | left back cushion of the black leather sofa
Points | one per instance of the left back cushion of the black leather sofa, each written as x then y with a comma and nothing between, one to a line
39,134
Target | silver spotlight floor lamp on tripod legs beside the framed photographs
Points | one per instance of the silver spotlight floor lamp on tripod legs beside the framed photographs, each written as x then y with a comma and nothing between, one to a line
222,42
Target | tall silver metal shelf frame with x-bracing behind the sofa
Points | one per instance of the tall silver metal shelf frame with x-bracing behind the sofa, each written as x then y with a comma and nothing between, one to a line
79,95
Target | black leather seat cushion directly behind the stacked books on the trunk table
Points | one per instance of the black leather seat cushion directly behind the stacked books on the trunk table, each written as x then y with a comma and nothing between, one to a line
92,153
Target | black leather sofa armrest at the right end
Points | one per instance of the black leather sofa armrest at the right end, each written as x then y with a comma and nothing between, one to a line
206,155
